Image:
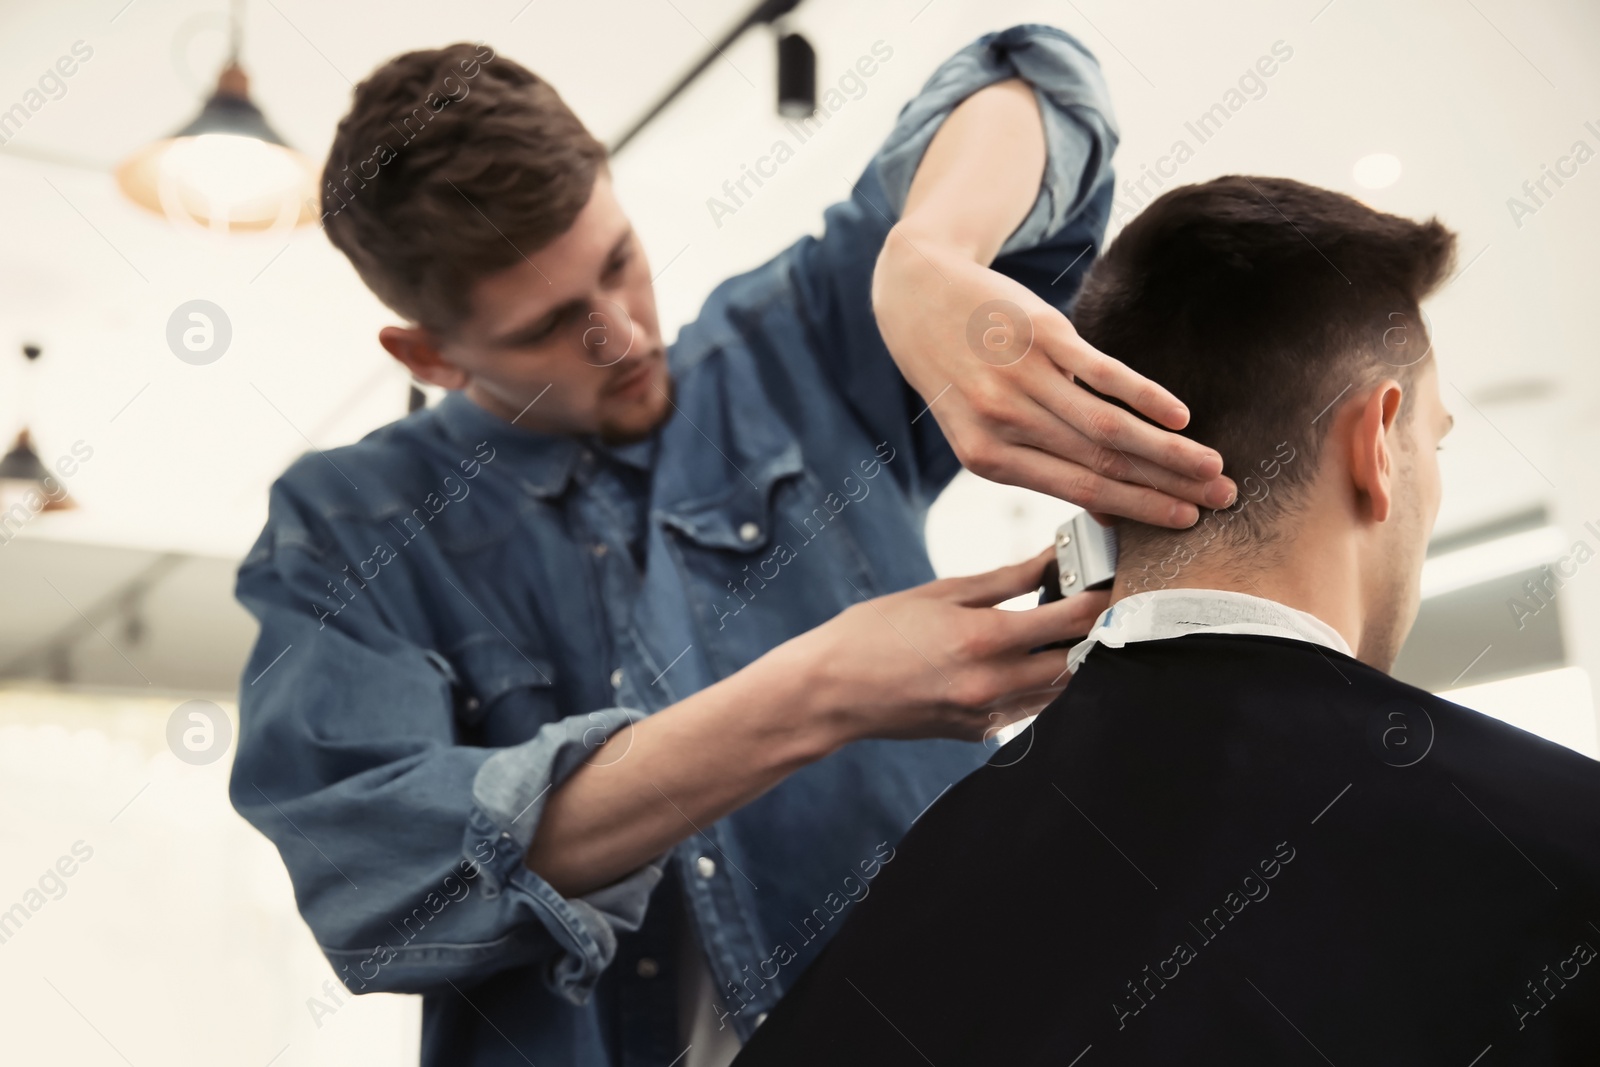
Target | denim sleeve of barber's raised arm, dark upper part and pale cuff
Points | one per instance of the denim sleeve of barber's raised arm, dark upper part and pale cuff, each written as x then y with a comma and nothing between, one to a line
833,276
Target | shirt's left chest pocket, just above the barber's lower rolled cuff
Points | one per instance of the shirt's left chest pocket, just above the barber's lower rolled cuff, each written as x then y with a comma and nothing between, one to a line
505,693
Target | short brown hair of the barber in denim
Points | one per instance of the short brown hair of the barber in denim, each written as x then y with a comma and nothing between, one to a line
452,166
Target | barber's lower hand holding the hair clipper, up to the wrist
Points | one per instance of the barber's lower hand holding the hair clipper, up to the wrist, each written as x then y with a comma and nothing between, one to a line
940,660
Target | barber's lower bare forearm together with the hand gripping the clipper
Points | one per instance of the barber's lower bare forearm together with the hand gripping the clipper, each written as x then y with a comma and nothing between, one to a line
868,673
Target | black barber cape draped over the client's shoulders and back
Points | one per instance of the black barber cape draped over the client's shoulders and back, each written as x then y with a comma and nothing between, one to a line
1228,850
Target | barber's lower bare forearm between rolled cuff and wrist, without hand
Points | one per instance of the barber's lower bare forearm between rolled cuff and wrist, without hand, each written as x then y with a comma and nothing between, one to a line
657,781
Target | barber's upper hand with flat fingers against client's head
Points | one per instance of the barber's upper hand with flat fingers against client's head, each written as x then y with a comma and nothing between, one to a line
1001,370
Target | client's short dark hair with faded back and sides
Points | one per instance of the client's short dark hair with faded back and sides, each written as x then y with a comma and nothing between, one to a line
1257,302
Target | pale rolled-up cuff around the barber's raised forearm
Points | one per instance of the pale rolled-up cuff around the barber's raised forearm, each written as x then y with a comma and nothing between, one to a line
1081,130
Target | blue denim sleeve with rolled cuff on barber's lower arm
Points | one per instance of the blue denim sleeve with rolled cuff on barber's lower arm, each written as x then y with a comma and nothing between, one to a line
406,849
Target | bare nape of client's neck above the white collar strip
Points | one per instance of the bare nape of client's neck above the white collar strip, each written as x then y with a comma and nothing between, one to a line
1318,575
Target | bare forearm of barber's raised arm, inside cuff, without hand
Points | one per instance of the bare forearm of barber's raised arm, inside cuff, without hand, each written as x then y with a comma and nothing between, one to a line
978,180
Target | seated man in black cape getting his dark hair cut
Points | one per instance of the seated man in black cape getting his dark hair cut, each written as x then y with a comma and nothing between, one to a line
1236,839
